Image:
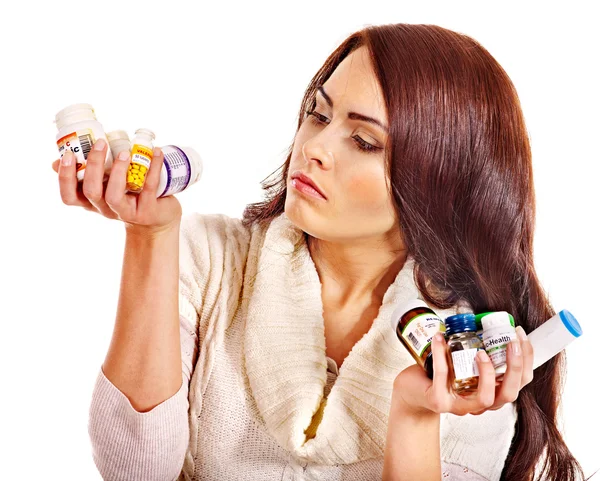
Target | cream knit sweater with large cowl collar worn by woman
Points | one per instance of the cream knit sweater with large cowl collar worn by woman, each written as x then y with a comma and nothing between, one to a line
253,343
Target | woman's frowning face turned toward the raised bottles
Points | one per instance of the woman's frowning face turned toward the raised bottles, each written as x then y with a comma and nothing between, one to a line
330,148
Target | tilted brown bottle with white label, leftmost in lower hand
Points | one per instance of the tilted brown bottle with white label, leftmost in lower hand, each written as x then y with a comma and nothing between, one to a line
415,324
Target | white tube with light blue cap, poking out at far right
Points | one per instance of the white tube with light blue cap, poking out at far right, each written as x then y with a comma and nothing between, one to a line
553,336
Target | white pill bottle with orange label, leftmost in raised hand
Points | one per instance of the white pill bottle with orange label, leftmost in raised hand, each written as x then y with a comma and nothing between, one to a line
78,130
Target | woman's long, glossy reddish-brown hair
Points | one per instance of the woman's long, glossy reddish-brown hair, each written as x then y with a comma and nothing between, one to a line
459,162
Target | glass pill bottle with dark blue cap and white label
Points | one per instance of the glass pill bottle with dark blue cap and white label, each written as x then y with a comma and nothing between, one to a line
463,344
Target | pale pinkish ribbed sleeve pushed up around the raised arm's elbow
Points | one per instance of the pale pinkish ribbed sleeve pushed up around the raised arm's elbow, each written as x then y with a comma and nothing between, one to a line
127,444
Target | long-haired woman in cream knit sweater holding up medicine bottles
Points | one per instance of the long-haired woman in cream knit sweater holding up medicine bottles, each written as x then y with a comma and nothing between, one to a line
416,149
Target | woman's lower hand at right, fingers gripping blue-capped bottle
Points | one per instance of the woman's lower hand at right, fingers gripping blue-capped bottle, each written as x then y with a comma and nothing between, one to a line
416,392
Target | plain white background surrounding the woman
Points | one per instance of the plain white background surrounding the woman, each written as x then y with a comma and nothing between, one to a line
227,79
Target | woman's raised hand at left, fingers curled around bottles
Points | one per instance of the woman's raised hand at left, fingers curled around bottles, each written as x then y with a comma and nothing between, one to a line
142,213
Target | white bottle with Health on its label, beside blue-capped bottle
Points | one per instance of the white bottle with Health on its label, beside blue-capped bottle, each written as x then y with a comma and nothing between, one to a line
497,334
